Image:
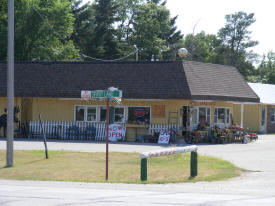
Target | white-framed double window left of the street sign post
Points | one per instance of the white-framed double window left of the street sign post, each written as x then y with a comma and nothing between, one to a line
85,113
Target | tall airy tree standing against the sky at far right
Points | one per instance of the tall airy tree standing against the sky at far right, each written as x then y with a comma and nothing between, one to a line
235,38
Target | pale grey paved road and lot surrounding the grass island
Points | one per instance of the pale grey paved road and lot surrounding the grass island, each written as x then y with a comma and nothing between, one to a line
255,188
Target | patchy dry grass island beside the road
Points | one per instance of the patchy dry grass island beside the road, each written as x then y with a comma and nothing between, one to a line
123,167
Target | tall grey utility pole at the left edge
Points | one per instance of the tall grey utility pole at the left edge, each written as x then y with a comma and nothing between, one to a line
10,84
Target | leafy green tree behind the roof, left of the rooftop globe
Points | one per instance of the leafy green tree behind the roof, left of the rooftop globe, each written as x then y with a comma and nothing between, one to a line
154,32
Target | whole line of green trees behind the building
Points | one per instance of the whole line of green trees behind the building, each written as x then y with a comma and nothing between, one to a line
69,30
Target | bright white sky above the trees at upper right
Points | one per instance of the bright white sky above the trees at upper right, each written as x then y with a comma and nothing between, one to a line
208,15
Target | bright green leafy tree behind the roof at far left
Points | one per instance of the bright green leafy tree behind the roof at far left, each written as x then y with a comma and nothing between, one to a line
42,30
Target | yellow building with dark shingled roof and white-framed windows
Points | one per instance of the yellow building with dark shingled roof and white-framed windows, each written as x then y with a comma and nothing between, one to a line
182,93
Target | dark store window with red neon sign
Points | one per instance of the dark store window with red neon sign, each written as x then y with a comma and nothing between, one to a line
139,115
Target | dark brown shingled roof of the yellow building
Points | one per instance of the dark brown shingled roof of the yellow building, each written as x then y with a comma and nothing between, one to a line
137,80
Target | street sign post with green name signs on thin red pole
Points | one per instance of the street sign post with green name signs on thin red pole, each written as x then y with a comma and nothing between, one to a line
108,95
